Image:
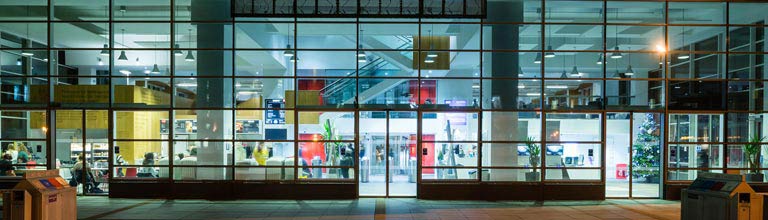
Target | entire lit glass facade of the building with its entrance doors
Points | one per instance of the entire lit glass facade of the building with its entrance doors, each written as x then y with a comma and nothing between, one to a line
631,95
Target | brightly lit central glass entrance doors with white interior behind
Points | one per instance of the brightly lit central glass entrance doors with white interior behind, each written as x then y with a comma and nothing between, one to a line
388,153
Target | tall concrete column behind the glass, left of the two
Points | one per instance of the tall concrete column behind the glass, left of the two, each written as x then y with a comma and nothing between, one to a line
213,92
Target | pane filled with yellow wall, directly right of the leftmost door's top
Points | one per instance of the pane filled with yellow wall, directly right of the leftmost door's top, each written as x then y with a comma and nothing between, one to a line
141,125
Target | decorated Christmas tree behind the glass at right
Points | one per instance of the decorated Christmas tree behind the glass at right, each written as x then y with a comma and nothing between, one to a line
647,149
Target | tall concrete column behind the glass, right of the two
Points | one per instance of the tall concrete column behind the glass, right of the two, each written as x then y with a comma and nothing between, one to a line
504,92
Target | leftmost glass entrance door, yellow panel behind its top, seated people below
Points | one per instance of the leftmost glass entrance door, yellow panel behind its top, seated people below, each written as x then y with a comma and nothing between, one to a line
82,149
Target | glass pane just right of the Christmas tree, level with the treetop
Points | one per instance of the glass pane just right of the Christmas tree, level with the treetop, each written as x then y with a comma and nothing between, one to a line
696,128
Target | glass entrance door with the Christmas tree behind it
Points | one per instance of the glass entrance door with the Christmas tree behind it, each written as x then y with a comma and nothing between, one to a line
632,159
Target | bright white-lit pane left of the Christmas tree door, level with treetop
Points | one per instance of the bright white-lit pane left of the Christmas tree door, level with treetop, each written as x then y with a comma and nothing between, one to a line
568,127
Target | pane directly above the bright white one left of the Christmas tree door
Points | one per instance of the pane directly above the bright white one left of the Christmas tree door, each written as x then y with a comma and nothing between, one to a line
573,94
